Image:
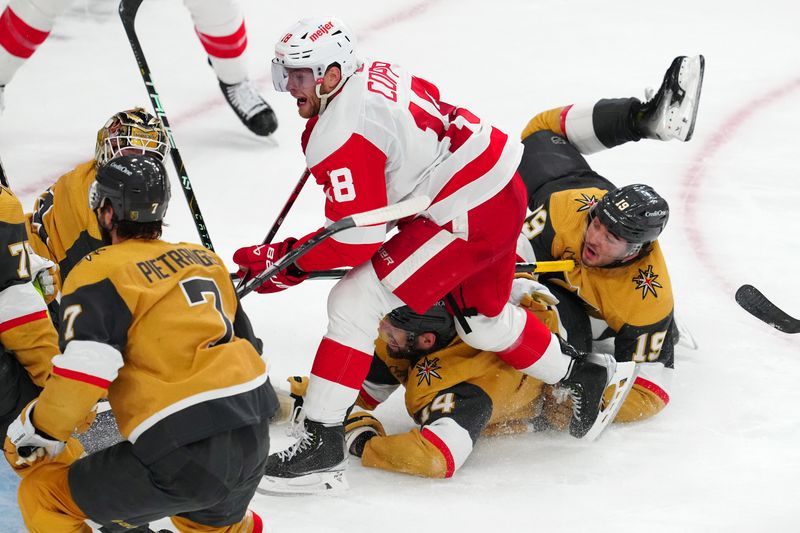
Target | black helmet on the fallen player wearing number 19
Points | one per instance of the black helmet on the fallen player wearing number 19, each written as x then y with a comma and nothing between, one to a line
636,213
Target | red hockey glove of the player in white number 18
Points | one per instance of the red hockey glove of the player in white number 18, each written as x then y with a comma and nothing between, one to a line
253,260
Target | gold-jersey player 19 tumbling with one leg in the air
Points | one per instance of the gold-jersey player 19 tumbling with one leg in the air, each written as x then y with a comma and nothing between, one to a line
620,287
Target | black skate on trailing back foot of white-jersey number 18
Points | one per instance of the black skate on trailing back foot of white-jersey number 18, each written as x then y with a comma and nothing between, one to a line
590,376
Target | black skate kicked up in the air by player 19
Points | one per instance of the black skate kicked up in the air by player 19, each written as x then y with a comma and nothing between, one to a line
672,111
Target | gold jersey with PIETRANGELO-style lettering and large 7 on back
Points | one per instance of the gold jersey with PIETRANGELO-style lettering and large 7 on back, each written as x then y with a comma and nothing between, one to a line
158,328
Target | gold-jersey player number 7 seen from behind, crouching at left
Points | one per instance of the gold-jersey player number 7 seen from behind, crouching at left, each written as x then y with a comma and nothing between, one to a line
158,328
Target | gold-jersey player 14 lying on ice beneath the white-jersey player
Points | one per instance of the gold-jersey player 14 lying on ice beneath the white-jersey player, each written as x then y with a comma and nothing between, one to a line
455,393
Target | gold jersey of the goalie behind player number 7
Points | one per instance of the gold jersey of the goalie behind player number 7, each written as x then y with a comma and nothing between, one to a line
63,227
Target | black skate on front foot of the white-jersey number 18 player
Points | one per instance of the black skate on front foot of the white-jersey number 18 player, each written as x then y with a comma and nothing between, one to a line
315,463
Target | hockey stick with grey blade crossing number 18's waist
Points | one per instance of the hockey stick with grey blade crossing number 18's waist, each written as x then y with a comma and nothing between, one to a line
382,215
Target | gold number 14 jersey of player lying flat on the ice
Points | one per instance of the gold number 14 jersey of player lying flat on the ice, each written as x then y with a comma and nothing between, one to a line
455,394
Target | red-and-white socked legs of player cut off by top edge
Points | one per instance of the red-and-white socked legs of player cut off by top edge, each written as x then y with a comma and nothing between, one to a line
25,24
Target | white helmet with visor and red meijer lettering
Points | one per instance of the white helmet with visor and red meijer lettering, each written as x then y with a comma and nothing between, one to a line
314,43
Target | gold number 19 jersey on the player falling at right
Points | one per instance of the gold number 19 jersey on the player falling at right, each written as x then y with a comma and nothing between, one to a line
635,300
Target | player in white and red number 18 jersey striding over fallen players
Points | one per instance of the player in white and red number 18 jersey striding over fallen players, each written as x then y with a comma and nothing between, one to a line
377,135
